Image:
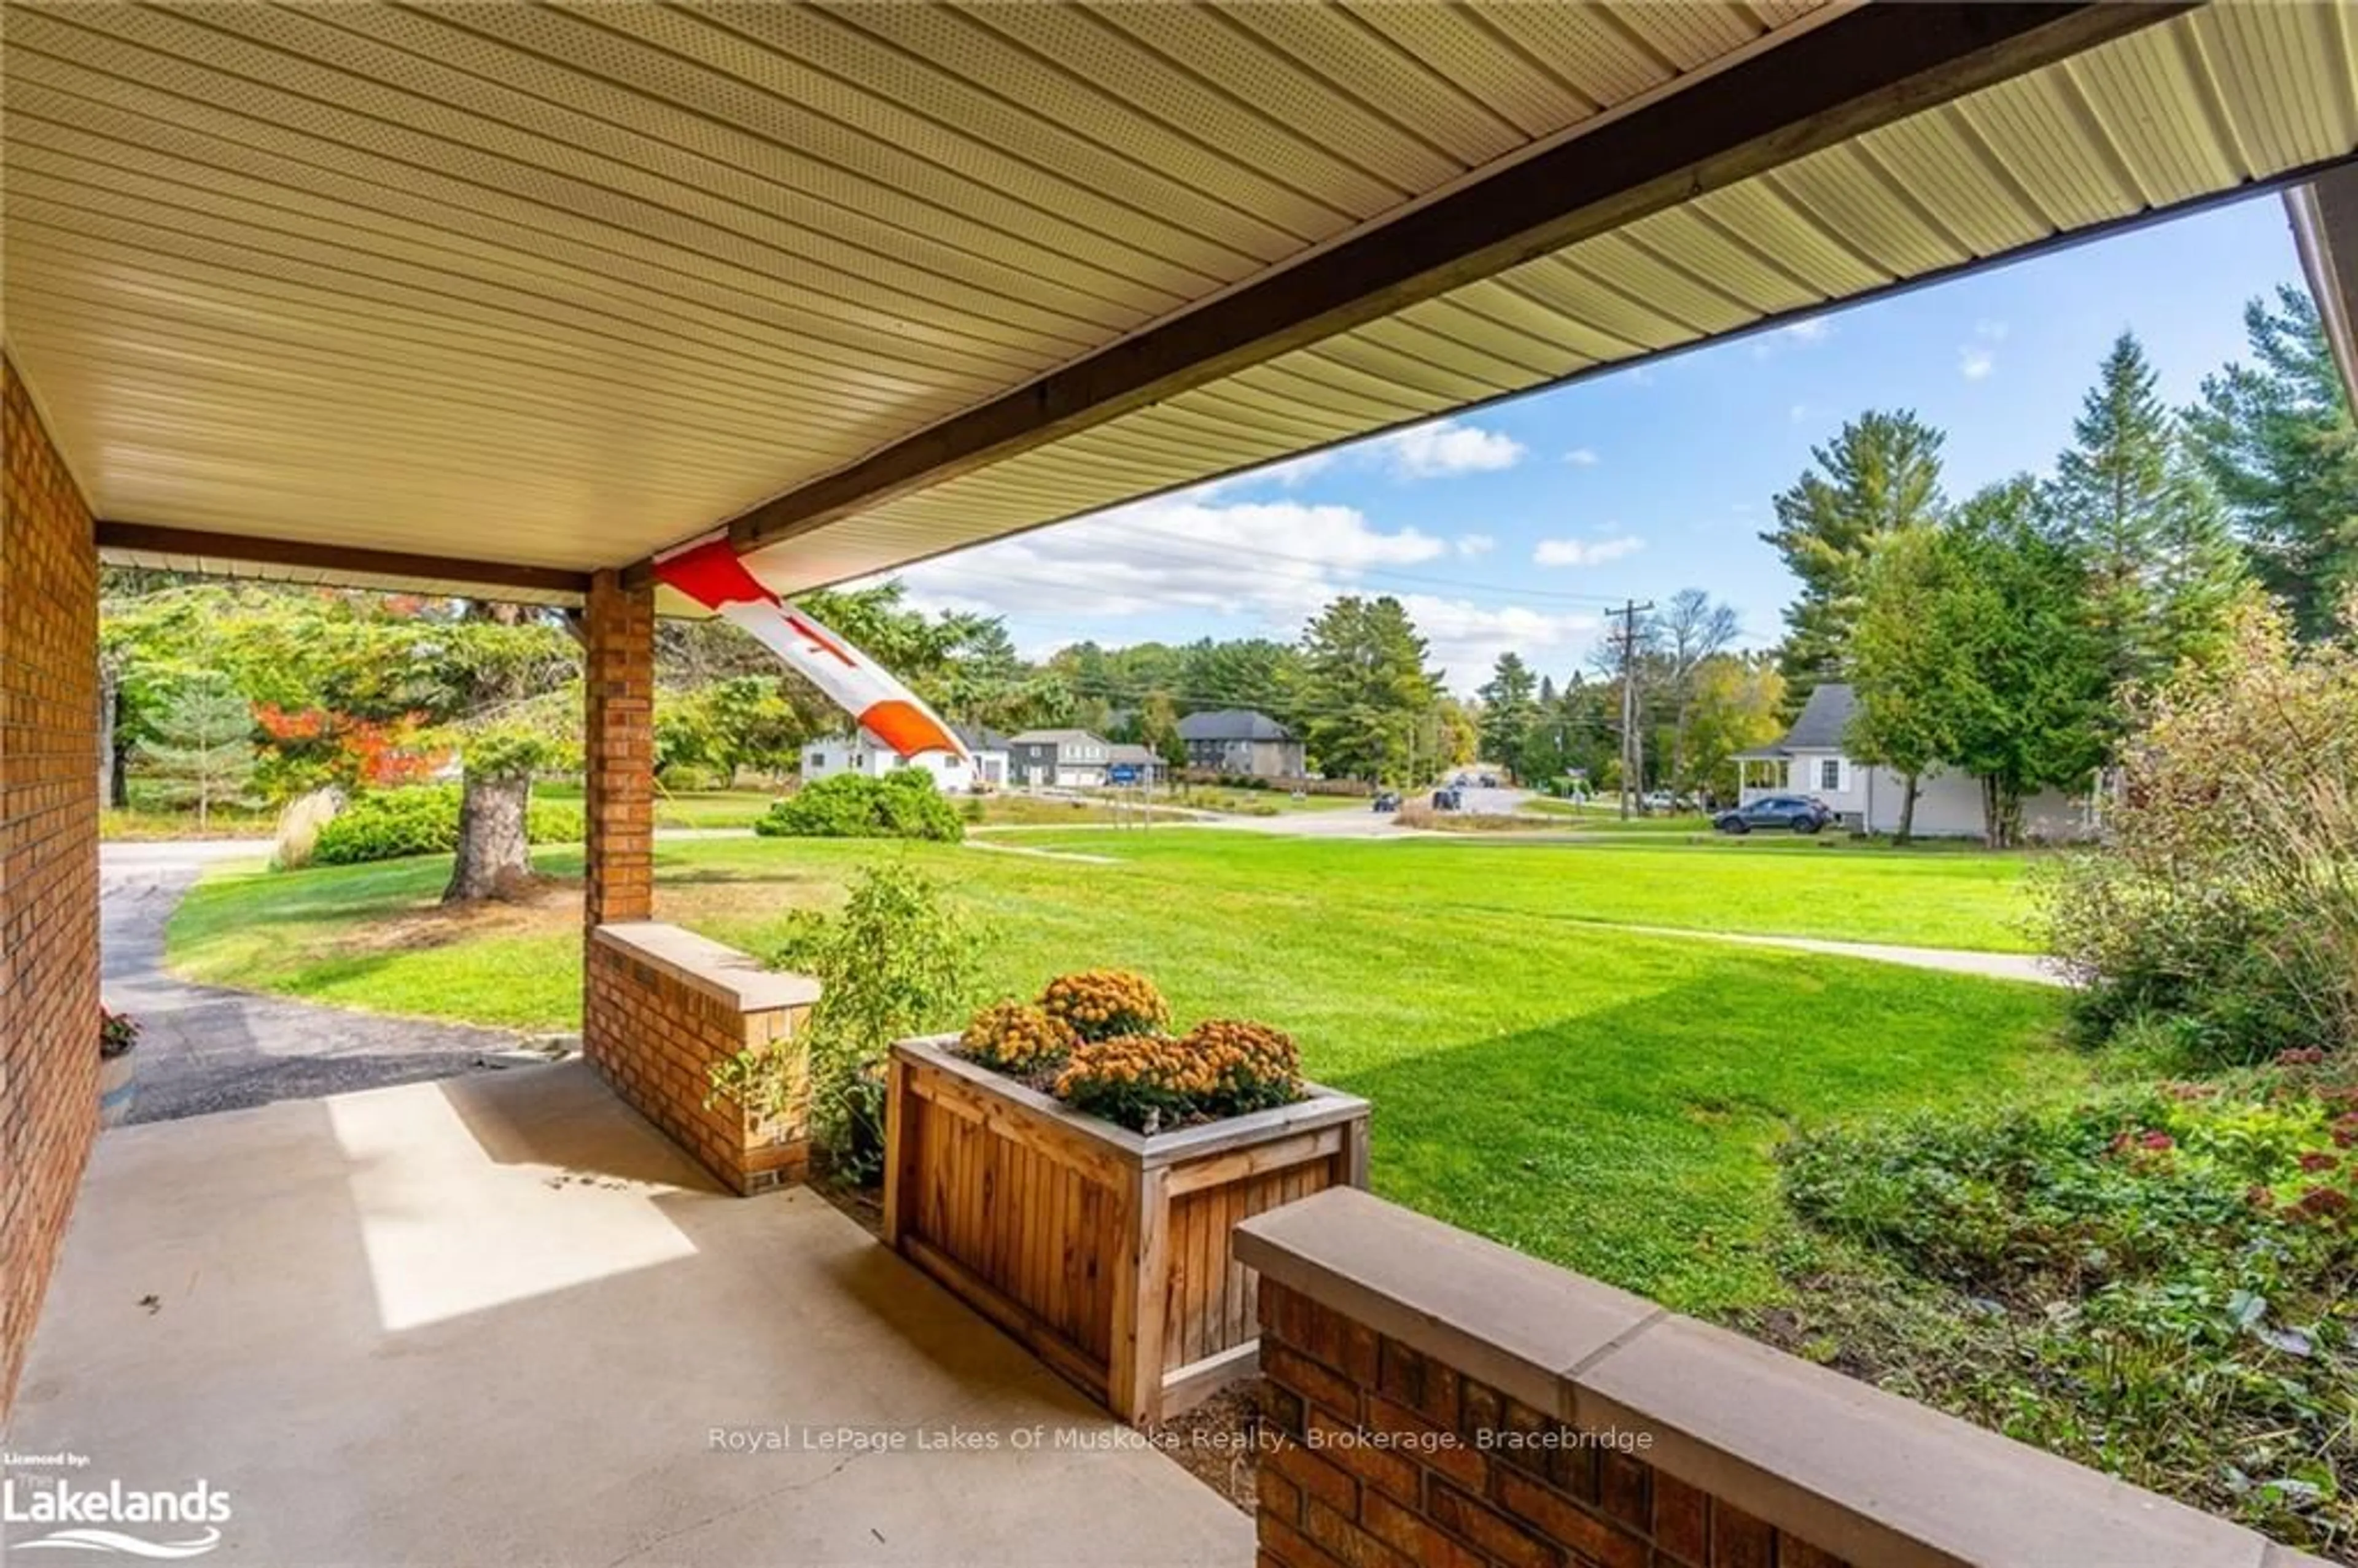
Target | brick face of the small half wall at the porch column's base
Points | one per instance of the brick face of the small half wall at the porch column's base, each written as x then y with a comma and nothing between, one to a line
654,1039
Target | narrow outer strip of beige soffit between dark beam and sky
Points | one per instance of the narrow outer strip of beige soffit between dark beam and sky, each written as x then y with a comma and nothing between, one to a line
2220,100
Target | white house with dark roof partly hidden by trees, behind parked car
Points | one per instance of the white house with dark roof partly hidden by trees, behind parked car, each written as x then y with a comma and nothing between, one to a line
1812,760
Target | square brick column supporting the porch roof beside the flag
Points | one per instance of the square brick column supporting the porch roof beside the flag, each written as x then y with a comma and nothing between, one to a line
619,744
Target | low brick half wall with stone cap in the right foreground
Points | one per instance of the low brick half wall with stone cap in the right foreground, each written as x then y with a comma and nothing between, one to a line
1451,1404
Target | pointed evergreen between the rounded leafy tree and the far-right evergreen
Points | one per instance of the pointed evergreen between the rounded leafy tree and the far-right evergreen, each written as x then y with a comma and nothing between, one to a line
2147,525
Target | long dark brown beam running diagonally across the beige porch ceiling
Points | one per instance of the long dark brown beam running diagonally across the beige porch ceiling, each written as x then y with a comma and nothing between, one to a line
1847,77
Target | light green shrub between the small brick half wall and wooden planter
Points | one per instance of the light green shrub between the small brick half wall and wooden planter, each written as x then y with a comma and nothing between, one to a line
900,961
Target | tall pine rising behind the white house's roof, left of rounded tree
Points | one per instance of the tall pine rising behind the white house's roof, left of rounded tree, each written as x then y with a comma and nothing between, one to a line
1881,475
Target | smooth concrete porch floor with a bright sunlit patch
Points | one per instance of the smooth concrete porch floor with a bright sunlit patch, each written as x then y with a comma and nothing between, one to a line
501,1319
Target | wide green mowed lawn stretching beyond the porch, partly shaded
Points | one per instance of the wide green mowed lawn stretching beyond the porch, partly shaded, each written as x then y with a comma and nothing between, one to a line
1593,1098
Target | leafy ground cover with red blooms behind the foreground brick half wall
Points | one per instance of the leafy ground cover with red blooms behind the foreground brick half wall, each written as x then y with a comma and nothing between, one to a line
2154,1282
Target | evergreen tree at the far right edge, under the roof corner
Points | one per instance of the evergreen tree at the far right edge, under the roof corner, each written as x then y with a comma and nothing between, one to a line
2279,444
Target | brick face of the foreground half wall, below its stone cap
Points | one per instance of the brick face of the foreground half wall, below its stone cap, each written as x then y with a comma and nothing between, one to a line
1385,1458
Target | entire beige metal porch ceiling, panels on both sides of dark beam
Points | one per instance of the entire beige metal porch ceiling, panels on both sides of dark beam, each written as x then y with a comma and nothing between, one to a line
565,284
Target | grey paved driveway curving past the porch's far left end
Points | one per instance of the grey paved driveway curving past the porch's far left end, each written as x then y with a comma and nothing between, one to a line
206,1048
